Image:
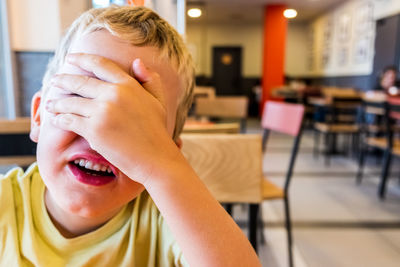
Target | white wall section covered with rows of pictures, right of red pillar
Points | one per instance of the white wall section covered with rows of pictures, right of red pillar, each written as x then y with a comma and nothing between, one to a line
343,41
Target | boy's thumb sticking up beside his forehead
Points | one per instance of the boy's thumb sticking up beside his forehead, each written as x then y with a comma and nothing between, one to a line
150,80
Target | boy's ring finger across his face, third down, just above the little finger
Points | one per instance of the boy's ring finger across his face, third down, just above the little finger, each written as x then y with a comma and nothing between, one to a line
71,105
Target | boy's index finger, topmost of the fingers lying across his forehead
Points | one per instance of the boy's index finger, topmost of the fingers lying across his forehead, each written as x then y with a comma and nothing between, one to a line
101,67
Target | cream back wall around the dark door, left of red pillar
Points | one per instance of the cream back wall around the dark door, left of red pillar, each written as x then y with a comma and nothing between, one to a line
201,39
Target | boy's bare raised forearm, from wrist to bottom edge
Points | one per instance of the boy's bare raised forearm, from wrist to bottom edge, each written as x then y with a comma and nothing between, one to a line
206,234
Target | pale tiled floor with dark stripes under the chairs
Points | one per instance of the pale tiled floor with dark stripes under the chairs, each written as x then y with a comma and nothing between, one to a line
336,222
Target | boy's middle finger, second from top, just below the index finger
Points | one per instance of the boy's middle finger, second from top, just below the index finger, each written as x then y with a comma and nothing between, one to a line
85,86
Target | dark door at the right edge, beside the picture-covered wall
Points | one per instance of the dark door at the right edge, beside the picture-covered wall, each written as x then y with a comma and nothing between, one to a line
386,45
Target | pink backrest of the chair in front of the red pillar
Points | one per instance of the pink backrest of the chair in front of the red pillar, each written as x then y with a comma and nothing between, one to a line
282,117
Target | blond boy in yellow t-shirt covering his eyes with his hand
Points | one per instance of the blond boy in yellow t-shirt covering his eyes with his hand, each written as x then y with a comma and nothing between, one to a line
112,104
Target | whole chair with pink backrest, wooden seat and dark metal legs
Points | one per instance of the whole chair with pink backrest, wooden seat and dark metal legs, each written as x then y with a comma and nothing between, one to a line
287,119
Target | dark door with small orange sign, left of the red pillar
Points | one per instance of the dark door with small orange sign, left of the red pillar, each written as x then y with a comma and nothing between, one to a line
227,70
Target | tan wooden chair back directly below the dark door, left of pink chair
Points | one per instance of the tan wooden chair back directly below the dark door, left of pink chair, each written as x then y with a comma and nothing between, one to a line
227,107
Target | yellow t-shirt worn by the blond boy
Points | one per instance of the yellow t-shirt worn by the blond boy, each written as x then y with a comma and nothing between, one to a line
136,236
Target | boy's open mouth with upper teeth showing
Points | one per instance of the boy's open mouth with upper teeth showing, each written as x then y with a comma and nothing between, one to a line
89,172
